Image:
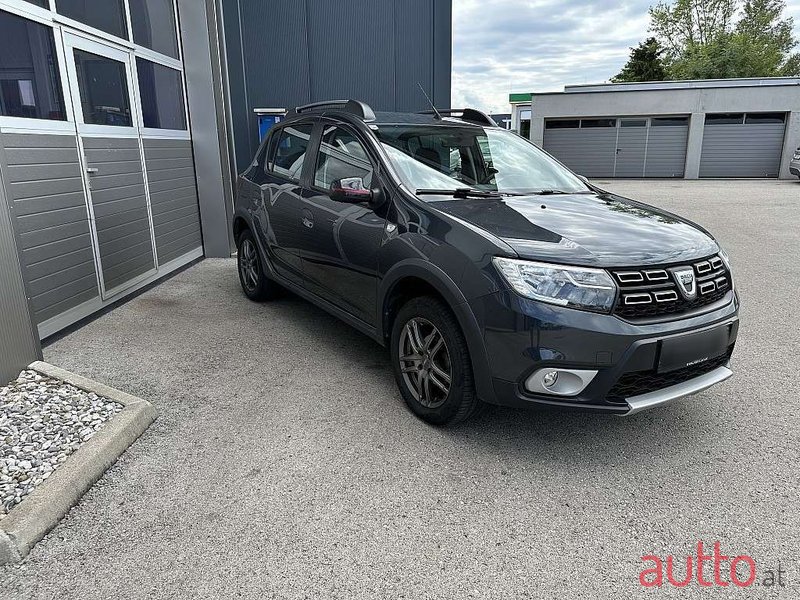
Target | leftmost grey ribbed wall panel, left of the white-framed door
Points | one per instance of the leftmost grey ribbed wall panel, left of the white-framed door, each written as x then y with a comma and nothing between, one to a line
45,187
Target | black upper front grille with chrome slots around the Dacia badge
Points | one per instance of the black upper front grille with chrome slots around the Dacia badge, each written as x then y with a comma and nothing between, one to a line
653,292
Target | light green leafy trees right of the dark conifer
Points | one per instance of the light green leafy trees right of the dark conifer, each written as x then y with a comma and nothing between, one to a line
703,39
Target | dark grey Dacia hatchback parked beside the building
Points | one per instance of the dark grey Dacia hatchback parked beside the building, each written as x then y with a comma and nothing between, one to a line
490,271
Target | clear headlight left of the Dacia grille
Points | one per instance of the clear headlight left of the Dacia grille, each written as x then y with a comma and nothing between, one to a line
576,287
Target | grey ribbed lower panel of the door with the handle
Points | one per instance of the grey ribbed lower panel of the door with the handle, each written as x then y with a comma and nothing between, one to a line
120,209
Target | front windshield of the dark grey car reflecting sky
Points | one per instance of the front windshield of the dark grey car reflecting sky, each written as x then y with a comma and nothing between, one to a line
449,157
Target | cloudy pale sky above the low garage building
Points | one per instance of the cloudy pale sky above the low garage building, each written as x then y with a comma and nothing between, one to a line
502,46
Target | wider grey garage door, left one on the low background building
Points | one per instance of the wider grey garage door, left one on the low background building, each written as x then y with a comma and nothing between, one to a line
620,147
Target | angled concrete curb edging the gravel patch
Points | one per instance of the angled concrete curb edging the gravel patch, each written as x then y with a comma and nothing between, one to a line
43,508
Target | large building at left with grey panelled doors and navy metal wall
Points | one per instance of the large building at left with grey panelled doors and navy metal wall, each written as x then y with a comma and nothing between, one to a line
123,124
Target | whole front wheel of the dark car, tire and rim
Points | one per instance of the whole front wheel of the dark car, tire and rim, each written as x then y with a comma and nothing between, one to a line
427,330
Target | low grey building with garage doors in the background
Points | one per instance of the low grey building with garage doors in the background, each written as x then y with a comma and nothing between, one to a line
685,129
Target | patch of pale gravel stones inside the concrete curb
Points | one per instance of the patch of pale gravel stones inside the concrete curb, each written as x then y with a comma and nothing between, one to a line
42,421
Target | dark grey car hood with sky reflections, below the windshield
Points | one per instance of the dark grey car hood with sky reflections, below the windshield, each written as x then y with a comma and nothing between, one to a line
595,229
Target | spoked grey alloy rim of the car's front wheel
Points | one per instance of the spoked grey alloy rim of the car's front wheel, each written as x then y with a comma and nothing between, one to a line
425,362
